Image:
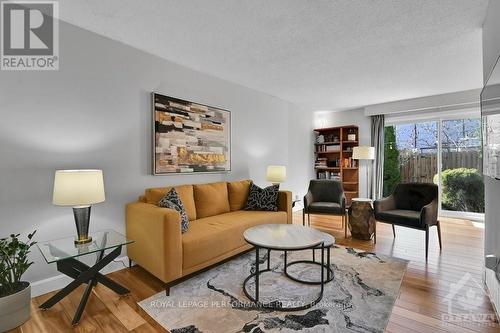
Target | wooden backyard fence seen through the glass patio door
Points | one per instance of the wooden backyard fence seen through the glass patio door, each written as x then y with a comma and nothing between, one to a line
421,167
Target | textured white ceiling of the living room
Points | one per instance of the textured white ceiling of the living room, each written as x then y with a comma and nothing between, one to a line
327,54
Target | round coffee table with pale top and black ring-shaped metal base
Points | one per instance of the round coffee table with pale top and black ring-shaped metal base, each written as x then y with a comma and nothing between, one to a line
287,237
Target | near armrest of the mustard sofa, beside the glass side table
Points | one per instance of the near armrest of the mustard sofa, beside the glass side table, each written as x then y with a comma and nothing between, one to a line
157,237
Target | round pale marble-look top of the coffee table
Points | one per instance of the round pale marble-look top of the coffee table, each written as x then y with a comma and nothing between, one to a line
283,236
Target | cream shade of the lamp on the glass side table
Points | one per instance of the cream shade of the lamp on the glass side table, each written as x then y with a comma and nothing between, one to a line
78,187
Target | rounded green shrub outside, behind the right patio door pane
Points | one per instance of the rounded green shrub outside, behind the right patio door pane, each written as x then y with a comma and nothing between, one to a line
462,190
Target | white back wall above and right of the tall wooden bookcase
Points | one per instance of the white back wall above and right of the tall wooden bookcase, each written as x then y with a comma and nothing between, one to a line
343,118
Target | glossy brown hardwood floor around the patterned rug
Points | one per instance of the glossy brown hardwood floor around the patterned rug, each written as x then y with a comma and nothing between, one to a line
419,308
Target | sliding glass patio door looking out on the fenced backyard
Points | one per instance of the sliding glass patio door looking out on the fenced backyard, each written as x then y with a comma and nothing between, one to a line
446,152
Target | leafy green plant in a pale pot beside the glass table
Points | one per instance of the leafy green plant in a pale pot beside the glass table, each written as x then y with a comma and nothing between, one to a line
15,294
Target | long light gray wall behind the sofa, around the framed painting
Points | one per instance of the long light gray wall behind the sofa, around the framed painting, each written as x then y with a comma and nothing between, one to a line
95,113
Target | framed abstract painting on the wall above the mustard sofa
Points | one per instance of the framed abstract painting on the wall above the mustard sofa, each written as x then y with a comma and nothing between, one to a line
189,137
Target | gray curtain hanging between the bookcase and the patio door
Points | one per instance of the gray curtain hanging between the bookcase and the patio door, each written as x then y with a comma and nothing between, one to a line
377,187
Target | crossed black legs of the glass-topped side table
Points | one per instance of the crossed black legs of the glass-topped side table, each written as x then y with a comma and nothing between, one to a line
82,273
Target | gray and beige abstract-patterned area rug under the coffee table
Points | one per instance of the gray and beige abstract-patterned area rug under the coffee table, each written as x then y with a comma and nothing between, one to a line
360,298
